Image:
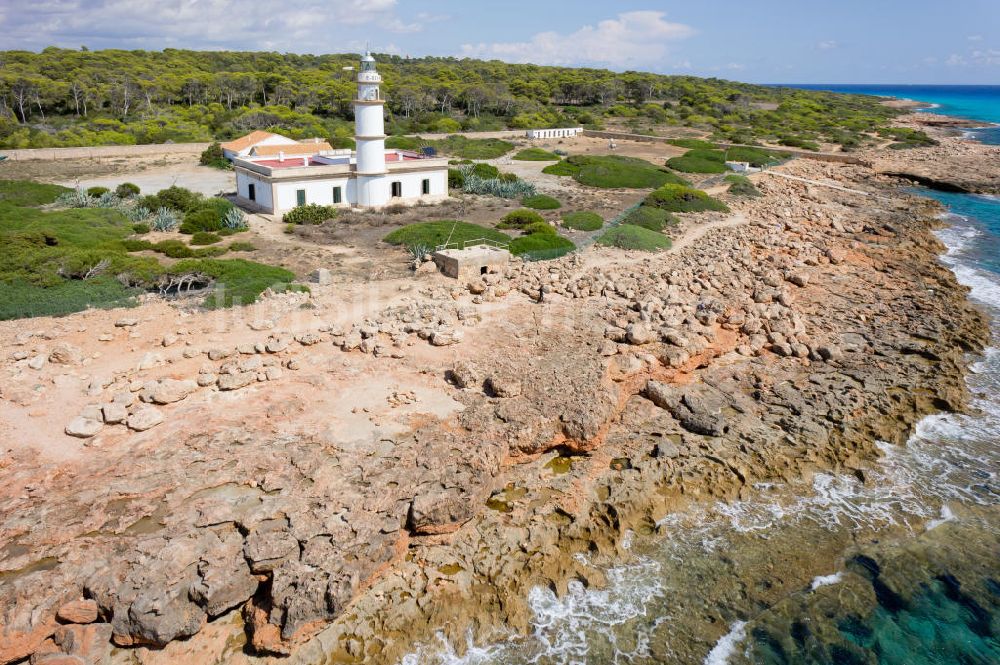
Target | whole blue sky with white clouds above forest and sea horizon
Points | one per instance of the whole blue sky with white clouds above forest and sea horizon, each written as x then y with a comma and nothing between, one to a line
760,41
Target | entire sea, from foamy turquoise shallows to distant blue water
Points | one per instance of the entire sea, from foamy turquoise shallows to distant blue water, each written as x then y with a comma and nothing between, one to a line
901,567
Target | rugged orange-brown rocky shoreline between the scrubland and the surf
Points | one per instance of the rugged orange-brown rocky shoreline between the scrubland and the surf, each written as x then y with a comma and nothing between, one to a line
586,397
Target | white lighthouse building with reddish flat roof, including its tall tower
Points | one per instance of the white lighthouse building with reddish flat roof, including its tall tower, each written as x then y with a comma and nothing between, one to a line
370,177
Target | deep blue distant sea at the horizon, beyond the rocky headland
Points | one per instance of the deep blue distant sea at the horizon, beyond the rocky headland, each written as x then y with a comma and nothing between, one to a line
974,102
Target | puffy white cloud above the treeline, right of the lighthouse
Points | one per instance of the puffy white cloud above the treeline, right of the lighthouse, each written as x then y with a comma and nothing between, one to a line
633,39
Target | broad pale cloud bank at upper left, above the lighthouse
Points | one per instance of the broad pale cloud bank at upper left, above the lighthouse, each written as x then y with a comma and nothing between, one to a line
292,25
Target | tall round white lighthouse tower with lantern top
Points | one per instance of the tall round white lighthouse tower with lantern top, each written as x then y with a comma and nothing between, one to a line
369,130
